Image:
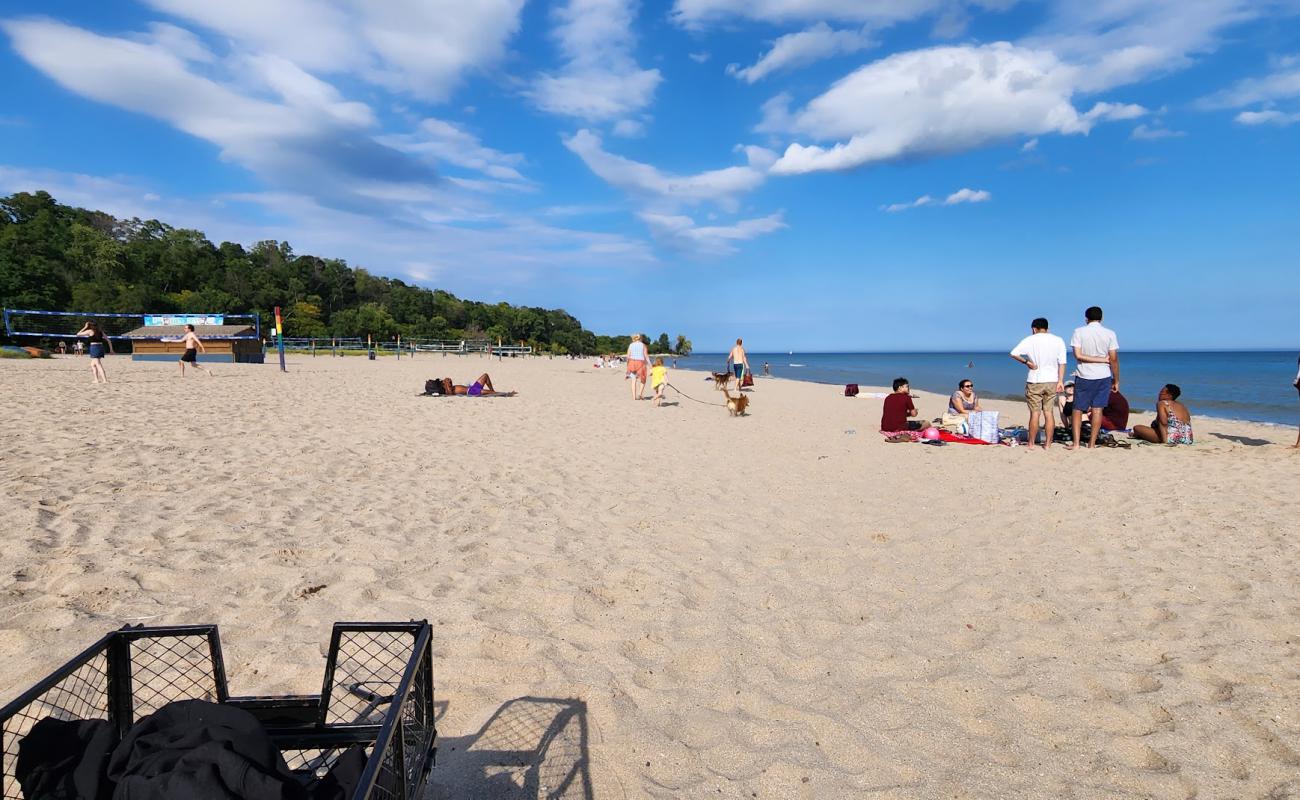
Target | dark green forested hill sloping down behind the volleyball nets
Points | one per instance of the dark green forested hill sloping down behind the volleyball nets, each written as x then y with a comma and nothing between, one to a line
59,258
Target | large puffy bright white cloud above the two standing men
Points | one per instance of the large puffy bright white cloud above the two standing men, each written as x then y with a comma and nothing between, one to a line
933,102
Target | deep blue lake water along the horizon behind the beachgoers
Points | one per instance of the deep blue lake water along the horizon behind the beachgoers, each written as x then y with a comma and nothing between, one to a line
1254,386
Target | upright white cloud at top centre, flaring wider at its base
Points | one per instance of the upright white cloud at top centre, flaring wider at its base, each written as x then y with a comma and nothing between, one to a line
600,81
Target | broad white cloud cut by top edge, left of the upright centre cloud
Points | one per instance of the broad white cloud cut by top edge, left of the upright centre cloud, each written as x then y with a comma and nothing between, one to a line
422,47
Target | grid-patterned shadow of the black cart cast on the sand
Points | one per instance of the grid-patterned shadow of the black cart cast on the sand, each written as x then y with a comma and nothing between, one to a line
531,747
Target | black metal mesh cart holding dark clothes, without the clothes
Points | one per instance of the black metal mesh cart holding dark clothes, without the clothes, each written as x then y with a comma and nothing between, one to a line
378,694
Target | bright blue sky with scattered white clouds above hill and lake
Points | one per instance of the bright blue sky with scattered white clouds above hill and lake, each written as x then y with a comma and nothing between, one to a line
812,175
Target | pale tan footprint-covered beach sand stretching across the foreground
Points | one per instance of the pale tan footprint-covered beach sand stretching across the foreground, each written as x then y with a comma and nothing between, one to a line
774,607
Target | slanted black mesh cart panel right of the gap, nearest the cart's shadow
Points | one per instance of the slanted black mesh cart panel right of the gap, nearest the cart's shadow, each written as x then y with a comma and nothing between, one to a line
367,672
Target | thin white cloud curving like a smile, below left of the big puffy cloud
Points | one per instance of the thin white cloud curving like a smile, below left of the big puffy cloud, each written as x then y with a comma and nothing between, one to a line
721,187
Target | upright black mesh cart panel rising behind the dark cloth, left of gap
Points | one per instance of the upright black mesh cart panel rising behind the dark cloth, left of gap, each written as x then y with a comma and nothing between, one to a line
168,669
